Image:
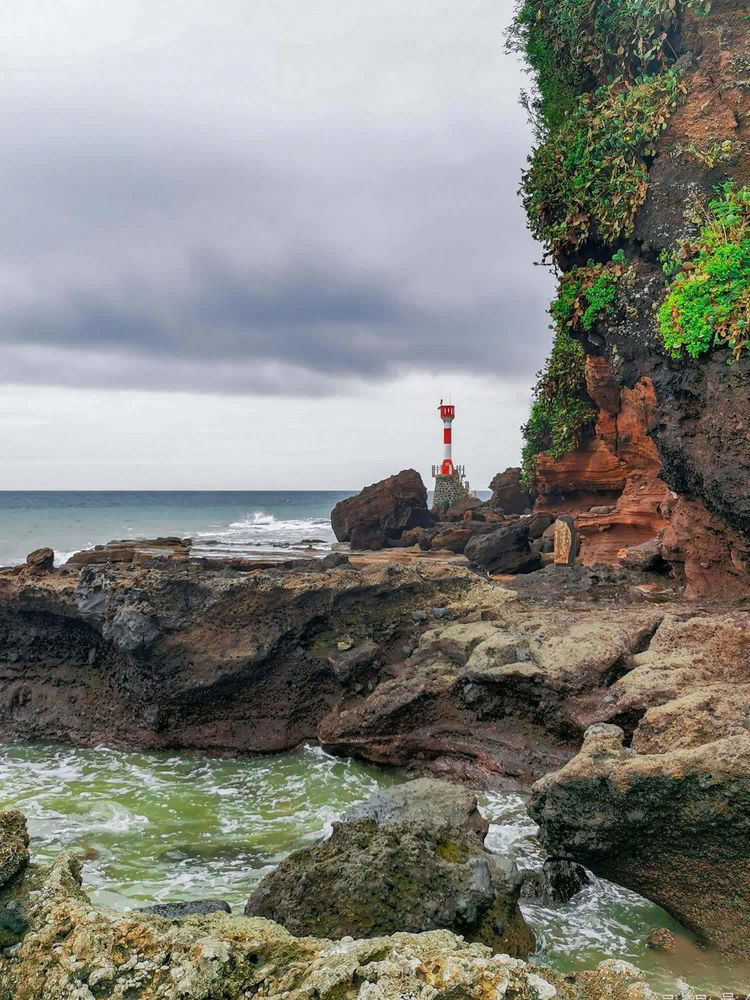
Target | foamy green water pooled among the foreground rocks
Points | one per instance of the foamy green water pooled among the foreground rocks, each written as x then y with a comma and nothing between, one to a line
162,827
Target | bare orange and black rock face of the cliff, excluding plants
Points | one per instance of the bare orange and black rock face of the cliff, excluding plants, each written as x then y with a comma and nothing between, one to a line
681,425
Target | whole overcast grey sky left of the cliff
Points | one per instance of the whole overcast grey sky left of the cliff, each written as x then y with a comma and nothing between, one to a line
250,243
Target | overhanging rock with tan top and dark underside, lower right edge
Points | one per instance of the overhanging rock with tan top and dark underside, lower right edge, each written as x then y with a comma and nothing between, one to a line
673,826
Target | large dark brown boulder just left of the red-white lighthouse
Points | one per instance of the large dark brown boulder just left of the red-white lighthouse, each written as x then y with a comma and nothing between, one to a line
382,511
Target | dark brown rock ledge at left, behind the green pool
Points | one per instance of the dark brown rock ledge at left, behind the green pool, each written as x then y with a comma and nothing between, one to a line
181,654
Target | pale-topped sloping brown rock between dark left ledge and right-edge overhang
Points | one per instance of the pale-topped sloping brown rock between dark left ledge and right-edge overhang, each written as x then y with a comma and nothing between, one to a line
496,700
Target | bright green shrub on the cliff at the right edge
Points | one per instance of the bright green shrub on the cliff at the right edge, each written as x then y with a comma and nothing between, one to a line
708,303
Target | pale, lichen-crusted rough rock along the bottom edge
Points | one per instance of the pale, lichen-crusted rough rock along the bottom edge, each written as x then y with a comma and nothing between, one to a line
70,950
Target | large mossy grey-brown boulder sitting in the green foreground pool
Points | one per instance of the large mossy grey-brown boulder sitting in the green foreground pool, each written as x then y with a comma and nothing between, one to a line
411,859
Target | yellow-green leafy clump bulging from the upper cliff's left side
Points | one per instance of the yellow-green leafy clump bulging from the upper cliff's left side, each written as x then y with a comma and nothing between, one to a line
589,179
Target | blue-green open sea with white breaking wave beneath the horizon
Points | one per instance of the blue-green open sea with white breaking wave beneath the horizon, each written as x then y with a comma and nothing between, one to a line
220,523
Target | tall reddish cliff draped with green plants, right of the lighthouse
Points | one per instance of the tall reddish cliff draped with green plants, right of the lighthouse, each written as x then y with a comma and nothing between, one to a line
637,189
